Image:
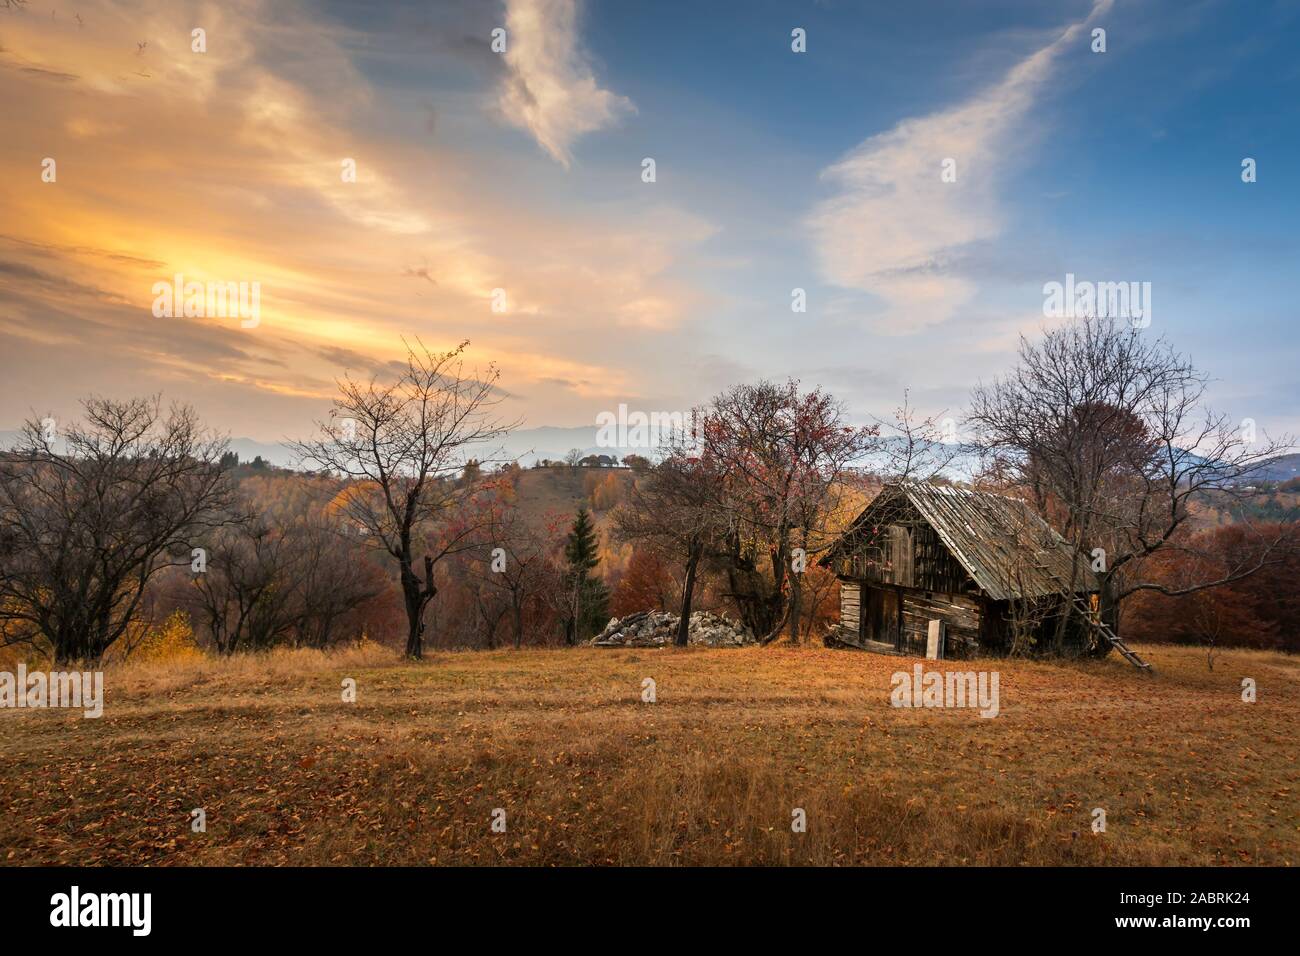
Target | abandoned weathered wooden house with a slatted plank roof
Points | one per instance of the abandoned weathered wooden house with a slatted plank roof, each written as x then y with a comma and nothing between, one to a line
986,565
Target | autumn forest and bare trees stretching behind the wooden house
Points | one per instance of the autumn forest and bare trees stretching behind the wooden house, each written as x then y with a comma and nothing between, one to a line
136,531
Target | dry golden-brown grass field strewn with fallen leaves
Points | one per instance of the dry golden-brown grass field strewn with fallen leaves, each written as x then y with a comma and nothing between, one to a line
587,773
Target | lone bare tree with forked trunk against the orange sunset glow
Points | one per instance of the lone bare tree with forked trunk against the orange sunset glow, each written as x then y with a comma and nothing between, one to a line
404,444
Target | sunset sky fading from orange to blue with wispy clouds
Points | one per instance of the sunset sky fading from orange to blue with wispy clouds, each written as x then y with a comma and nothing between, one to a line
515,180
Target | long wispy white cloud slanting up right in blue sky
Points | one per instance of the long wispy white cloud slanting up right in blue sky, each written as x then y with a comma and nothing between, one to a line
896,230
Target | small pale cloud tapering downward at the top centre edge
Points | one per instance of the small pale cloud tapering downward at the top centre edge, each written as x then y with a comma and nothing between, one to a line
551,89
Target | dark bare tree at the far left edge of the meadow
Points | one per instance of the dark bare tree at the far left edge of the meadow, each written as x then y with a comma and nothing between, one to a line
84,530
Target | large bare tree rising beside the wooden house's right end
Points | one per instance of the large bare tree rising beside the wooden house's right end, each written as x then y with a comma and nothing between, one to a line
1107,430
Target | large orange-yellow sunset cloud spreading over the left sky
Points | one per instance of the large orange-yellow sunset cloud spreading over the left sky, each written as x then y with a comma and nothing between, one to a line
254,193
